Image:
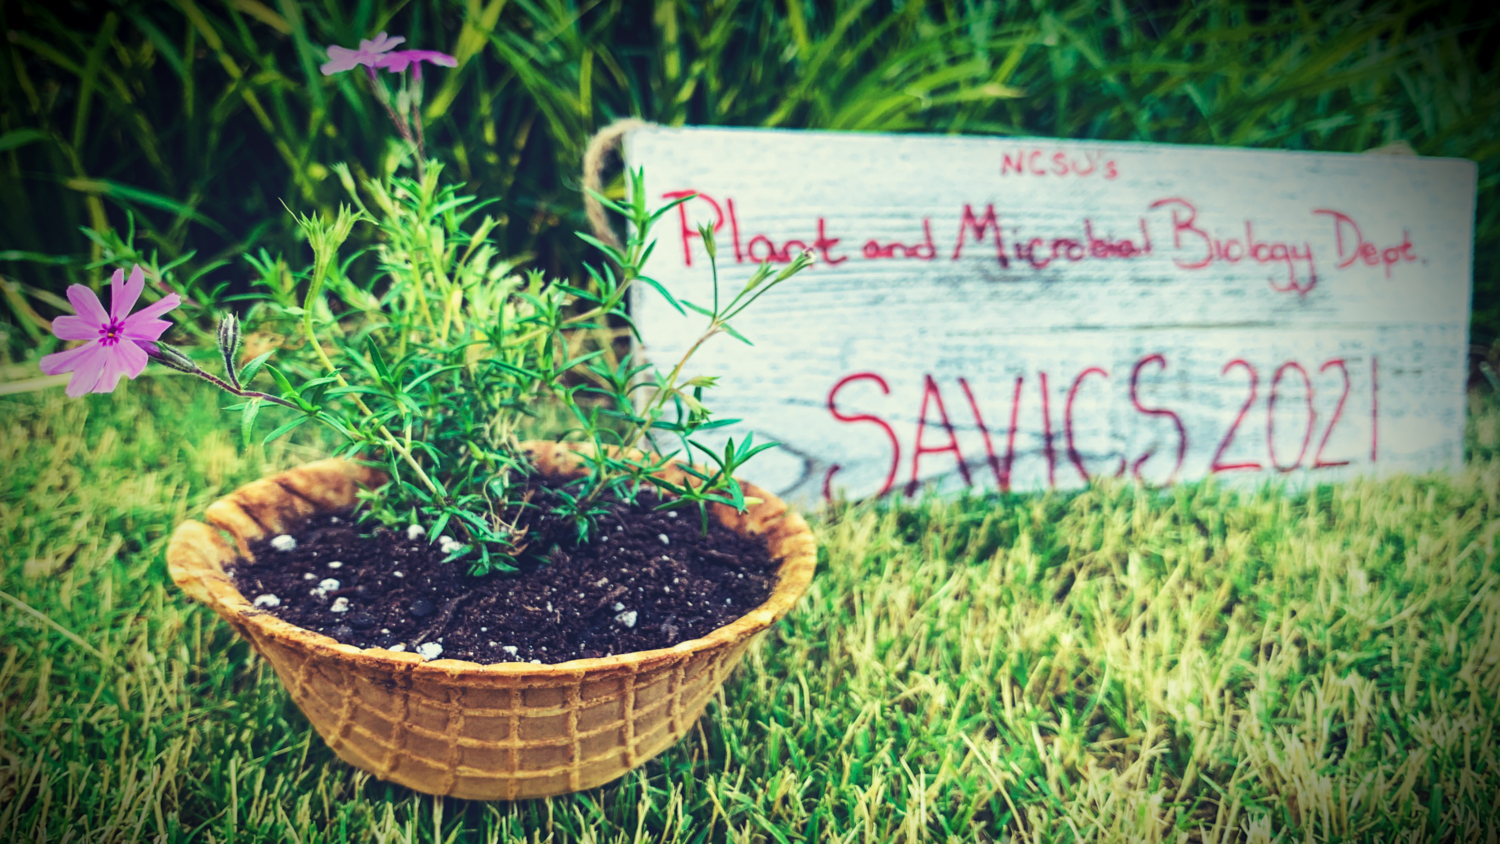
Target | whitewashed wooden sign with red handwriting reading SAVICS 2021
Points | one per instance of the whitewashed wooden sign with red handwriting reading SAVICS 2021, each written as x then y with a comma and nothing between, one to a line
1027,314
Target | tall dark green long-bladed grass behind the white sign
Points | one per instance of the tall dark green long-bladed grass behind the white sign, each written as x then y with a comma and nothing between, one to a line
202,118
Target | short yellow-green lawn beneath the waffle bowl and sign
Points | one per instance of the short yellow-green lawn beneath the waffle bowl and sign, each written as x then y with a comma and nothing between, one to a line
1117,665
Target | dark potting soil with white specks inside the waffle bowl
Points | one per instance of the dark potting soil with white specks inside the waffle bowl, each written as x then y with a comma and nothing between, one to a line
649,579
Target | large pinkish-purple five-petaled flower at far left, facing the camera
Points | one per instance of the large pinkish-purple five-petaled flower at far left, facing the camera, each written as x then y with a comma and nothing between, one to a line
118,341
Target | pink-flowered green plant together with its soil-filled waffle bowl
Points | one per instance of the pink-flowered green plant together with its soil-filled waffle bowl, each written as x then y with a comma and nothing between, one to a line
458,608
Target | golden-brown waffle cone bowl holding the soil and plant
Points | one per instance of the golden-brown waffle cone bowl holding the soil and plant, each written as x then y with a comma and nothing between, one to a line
499,732
